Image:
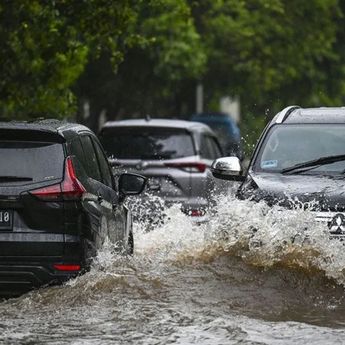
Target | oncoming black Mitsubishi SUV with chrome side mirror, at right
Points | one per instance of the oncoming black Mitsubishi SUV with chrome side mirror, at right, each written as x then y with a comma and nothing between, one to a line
299,160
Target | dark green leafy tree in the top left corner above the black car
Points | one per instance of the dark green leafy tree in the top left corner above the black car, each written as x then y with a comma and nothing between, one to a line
45,47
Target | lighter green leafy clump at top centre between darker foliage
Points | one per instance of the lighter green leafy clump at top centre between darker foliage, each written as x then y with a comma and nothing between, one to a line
175,49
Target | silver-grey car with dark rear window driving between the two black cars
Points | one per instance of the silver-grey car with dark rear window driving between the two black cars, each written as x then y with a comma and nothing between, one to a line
174,155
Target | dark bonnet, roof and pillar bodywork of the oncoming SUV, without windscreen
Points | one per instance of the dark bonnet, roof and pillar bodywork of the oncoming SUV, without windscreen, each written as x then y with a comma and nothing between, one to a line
316,192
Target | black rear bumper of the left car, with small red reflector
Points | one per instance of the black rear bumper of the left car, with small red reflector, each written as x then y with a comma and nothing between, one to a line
27,260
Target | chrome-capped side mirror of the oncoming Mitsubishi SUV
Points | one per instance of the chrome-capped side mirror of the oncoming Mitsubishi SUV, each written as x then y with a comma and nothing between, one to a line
227,168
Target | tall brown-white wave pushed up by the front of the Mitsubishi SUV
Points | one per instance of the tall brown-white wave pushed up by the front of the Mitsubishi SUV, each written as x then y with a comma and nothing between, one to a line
272,236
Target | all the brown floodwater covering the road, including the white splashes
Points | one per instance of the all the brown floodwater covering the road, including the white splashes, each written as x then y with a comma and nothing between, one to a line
188,284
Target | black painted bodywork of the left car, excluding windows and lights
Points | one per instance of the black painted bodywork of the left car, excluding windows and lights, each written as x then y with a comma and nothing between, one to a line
46,233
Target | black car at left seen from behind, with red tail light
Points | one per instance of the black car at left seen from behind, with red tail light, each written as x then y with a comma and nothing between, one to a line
58,203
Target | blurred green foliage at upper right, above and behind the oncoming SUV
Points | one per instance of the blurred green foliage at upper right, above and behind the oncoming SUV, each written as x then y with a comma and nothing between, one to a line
272,53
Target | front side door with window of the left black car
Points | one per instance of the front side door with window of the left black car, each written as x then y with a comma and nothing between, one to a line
117,215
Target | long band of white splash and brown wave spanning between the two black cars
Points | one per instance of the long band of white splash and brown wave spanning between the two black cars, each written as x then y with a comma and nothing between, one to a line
261,235
